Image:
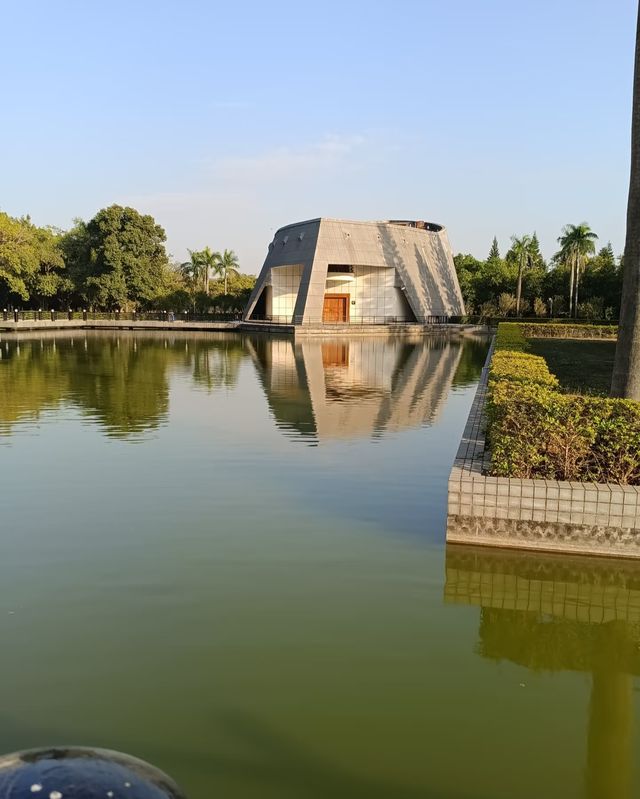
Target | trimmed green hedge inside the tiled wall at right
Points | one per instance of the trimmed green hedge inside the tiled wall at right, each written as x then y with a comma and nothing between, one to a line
535,430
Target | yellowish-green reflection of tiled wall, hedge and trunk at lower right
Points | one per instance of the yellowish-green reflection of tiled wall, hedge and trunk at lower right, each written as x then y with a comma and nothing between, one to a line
549,613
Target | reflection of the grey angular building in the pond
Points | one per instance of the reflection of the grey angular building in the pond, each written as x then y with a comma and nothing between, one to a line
345,388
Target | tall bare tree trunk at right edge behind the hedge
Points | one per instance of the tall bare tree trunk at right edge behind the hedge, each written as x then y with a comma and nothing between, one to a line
626,368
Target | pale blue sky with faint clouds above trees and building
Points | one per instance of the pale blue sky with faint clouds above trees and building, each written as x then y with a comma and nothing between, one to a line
228,120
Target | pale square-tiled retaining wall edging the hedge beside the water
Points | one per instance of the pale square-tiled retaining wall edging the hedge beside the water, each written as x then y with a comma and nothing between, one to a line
552,515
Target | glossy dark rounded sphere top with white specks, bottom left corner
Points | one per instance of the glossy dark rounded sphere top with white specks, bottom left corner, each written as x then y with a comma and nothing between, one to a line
79,773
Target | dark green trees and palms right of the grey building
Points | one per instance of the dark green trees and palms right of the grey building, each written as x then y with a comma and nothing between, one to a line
579,280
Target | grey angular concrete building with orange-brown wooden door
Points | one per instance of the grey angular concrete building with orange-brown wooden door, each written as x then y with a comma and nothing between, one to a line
332,271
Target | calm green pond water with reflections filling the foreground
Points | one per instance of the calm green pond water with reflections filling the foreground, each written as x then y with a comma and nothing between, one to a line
226,555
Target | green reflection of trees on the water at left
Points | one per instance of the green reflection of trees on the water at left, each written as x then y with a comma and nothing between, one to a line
121,380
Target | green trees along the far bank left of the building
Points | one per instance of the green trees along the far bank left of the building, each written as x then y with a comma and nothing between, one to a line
117,260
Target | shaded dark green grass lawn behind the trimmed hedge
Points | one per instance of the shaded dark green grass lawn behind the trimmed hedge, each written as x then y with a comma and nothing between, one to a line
584,367
